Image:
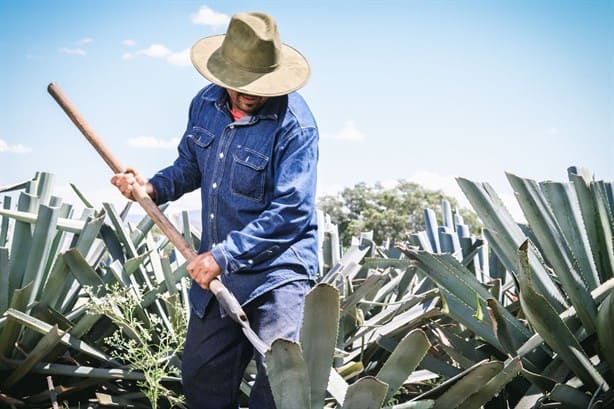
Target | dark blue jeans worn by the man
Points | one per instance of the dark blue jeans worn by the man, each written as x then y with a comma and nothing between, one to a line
216,351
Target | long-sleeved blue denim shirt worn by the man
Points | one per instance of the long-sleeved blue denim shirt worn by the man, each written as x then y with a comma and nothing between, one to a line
257,177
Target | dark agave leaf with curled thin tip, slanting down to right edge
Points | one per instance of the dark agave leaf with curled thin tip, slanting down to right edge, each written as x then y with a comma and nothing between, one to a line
549,325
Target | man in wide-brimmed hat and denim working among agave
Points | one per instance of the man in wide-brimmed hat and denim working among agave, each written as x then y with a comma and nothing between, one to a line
251,146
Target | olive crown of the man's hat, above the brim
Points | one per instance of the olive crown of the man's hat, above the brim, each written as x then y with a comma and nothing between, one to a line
253,42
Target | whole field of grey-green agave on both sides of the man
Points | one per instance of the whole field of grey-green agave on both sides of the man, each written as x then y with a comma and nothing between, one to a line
94,308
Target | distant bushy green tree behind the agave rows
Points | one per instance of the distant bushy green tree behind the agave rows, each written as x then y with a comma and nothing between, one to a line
390,213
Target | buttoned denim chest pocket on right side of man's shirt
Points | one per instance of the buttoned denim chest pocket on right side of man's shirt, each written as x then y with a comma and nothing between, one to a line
248,174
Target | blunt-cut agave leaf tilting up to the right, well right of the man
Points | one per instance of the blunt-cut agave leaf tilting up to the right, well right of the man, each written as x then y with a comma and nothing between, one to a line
404,360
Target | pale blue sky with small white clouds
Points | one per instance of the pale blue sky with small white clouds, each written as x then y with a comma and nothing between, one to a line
416,90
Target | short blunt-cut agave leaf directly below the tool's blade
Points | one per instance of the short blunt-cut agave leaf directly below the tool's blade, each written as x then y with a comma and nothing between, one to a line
288,375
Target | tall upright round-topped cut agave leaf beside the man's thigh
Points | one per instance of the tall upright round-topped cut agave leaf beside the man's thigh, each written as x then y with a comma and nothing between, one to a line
319,338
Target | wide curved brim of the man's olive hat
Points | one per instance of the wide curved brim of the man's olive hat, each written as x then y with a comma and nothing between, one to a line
291,74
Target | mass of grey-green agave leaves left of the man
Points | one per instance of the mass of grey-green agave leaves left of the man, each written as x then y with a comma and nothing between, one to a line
60,278
